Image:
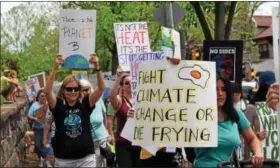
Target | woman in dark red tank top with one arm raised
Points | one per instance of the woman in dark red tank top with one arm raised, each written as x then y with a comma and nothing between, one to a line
126,154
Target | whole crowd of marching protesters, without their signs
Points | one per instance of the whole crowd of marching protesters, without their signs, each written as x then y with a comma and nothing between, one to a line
80,130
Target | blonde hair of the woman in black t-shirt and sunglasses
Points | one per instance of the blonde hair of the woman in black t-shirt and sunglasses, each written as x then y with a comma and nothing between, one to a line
67,80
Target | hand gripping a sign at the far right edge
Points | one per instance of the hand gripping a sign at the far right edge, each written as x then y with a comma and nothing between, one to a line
272,97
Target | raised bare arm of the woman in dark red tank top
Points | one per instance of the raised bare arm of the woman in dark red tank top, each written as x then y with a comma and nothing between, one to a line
114,97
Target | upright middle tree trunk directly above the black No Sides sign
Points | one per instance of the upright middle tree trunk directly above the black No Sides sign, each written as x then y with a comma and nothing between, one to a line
219,20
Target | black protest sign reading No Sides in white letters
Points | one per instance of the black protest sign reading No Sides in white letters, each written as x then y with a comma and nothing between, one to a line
228,56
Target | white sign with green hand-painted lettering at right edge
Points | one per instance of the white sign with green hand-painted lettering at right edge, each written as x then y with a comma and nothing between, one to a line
268,121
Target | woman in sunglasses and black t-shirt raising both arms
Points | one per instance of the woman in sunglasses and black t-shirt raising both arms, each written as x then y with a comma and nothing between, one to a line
71,111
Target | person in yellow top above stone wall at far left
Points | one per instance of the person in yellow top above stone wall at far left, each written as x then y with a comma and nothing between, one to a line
7,85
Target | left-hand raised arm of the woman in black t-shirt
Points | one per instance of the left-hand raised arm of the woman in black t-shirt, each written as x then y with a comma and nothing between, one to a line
49,86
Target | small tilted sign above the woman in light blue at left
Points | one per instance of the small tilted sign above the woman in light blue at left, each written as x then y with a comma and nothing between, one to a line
32,87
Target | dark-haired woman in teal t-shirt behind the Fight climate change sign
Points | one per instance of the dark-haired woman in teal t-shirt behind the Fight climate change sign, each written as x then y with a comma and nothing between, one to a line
231,122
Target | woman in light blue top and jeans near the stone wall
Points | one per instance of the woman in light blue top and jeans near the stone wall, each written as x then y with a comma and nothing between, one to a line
36,114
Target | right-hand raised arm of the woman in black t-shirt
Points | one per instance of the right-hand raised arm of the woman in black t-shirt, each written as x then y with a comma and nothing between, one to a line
97,93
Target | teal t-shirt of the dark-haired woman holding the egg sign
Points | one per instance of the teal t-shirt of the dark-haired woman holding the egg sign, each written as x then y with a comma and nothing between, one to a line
228,139
